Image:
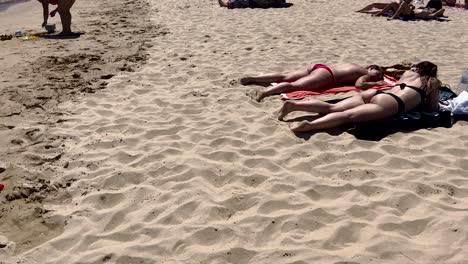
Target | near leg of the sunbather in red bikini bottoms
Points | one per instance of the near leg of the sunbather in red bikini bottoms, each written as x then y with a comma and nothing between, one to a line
320,78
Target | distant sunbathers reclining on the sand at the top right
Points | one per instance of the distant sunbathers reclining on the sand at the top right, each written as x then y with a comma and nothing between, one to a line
404,9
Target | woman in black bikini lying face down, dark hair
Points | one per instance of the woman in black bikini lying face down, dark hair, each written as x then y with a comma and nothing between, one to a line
418,87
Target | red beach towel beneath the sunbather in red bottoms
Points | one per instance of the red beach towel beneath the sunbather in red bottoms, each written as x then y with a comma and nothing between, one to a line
302,94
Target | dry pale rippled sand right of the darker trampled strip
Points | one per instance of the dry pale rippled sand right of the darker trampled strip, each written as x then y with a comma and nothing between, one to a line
174,163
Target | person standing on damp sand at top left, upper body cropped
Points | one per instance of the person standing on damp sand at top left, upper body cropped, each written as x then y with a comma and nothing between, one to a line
63,9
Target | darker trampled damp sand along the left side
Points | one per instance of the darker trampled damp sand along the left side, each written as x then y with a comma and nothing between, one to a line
35,77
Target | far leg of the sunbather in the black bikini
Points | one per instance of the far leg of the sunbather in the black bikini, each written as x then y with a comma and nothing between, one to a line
320,107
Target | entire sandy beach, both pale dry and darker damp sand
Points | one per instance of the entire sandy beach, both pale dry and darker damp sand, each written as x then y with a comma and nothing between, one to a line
136,143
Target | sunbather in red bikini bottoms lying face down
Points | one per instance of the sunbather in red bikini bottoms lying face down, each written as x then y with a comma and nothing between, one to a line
317,77
